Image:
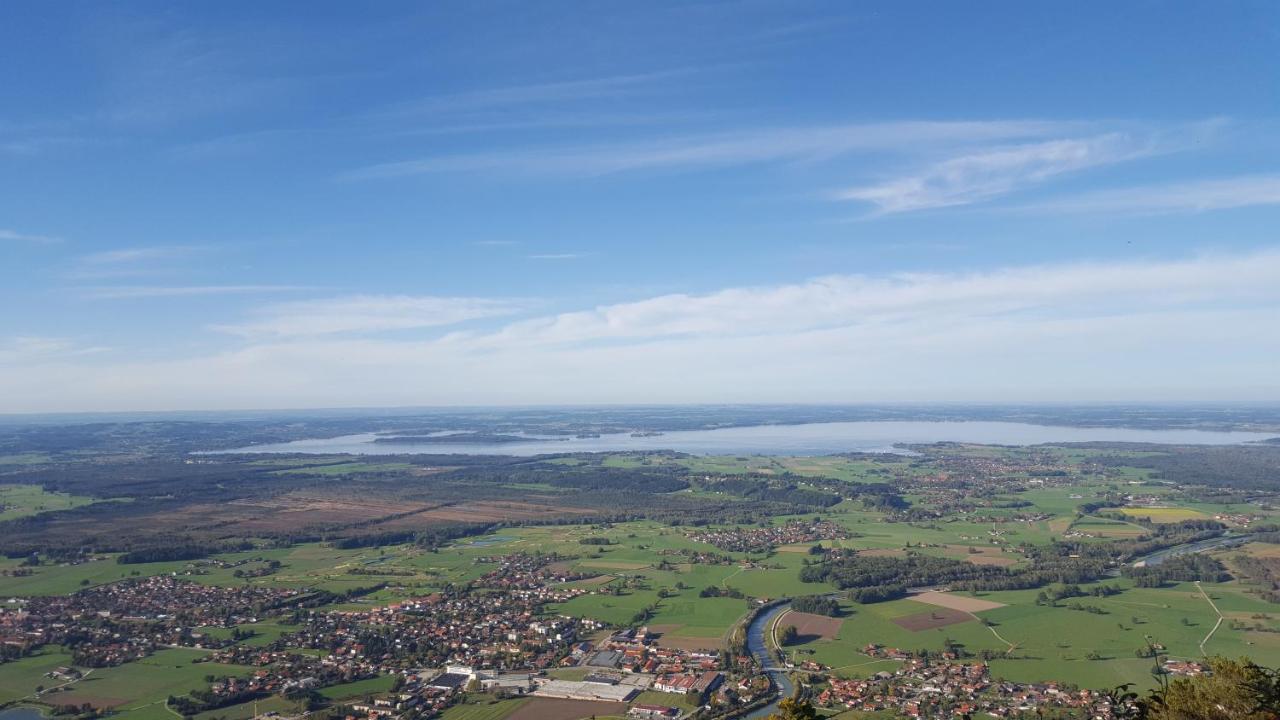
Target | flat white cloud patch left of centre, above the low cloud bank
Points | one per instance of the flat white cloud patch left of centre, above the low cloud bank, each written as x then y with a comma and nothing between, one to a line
368,315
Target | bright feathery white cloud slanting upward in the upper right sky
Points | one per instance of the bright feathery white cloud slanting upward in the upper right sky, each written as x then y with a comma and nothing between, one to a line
995,172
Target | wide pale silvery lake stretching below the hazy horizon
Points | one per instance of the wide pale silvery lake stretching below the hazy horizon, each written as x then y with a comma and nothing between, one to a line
812,439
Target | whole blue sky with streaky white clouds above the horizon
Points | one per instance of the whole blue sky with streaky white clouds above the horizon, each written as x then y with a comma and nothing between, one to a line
271,206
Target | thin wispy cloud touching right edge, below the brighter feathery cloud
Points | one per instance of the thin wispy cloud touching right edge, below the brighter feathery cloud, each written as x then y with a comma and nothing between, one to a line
1194,197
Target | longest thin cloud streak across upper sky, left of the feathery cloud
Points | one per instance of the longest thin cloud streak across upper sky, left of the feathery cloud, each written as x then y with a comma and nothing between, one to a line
730,149
